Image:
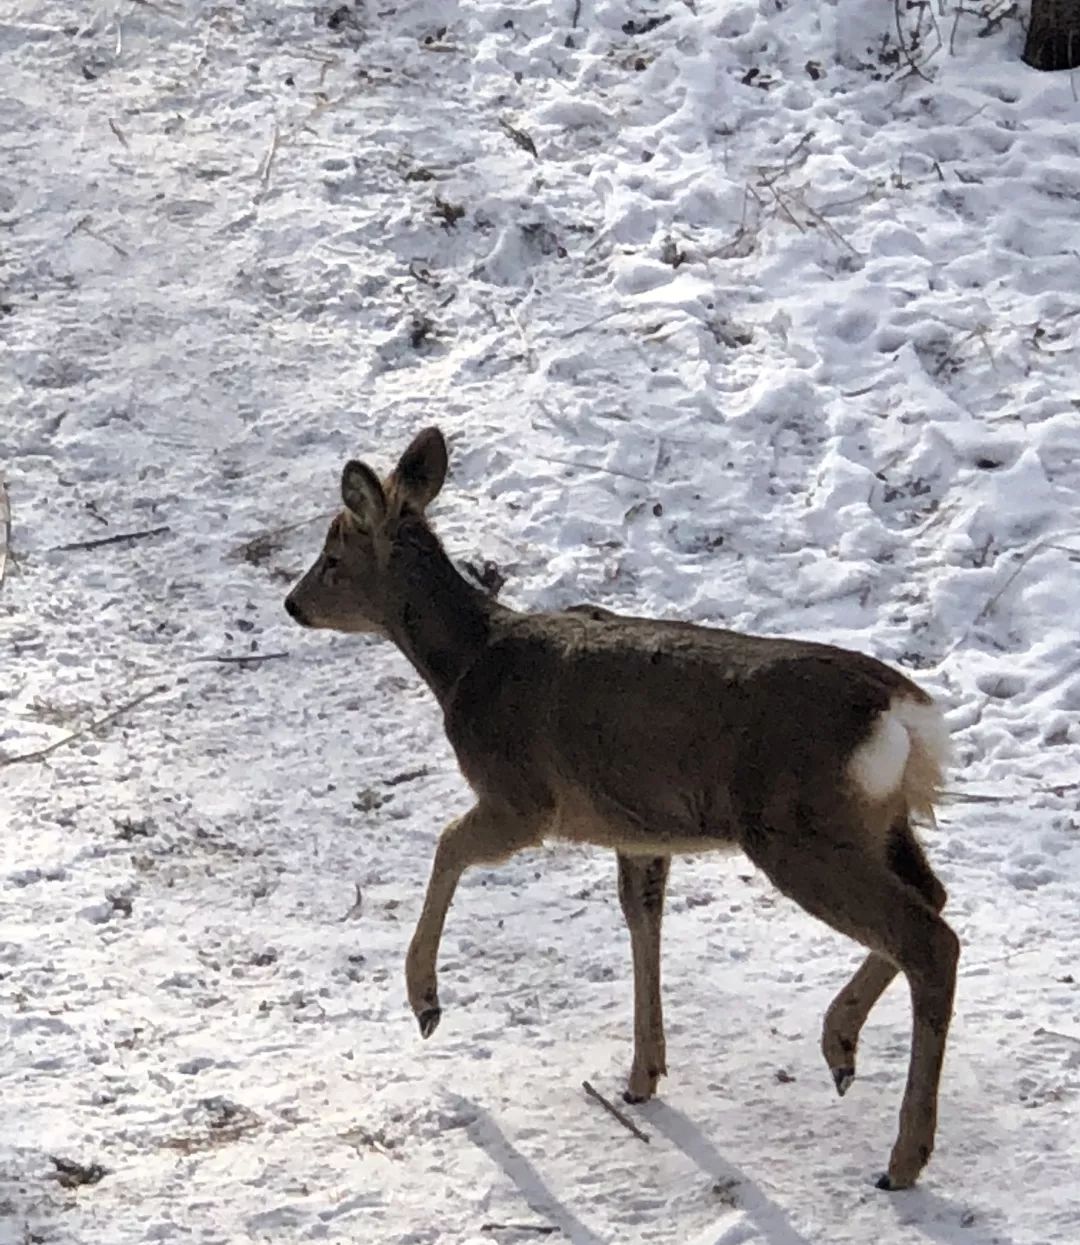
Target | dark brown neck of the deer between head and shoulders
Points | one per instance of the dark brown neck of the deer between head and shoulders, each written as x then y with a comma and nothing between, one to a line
439,621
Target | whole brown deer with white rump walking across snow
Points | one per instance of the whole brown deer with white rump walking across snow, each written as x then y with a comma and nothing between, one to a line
657,739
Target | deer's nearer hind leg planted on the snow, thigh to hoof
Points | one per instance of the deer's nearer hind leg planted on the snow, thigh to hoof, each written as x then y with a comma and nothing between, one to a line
841,881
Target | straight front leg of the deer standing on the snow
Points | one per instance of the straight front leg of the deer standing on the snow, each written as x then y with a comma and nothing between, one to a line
642,885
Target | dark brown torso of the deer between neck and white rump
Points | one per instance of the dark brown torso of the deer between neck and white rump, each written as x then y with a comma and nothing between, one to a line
647,736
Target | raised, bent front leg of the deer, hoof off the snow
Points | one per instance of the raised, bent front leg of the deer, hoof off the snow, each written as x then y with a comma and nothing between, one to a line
484,836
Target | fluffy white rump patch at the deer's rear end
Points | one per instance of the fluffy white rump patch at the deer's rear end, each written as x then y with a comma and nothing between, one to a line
879,765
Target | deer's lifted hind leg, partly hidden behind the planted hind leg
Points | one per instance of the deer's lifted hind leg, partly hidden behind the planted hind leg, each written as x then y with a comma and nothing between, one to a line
849,1012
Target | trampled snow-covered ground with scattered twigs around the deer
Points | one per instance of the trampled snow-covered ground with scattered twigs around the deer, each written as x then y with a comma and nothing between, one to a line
765,332
